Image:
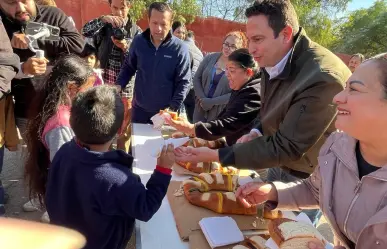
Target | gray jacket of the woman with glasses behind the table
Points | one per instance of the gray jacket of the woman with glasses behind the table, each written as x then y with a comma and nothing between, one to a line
212,107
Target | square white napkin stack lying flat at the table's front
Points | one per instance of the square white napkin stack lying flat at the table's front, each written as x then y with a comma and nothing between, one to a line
221,231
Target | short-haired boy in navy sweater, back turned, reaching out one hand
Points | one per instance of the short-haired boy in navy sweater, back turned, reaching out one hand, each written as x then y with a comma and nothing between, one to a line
93,190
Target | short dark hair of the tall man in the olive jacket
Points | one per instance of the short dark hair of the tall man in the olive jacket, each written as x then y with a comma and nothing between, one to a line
279,12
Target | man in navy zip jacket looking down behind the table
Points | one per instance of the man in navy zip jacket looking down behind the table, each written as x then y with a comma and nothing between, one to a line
162,63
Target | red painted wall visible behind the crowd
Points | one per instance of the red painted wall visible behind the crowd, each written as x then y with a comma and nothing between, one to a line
209,32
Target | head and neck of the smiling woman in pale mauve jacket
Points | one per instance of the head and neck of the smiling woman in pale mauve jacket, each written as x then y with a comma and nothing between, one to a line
363,102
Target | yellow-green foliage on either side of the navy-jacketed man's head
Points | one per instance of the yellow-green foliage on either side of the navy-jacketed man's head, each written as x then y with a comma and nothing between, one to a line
184,10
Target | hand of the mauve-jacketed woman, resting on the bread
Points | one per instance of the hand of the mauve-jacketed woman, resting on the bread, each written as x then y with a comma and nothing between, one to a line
255,193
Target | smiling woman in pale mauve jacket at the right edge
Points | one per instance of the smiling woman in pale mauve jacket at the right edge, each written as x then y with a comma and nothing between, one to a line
352,168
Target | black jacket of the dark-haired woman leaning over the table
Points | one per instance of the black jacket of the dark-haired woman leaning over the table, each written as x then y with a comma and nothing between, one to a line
237,118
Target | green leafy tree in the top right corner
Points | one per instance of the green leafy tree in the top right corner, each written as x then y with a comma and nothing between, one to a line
364,31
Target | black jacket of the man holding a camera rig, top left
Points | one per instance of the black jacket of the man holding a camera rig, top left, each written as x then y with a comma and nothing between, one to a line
70,41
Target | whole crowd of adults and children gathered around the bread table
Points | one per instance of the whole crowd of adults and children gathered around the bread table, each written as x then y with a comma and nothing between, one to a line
281,101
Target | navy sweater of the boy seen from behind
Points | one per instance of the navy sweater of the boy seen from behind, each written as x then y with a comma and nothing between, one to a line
98,195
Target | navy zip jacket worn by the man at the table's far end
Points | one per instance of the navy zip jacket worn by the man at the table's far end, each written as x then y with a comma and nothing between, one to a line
163,74
